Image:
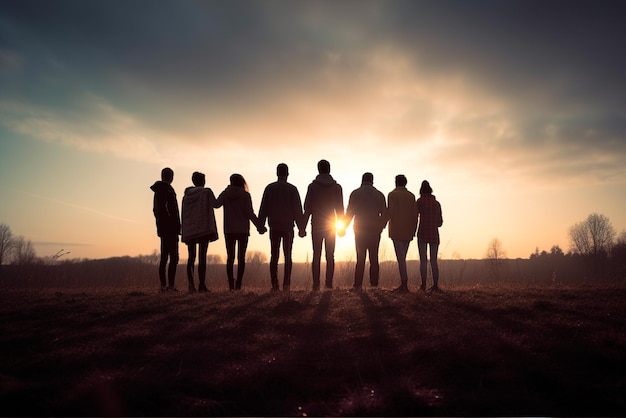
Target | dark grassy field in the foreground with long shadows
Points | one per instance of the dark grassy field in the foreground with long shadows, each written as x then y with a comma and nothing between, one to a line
469,351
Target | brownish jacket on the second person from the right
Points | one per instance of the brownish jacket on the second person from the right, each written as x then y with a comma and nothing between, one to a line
402,214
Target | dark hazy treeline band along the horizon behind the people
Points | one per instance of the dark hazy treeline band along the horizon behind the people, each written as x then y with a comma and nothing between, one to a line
141,273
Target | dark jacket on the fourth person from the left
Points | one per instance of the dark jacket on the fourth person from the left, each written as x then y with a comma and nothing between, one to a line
281,205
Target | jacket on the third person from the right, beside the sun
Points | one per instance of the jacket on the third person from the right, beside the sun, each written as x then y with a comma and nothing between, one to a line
367,206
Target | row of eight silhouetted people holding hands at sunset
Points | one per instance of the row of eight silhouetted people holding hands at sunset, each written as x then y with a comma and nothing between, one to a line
281,207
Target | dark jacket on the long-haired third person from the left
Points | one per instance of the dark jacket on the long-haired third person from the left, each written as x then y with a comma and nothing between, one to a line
238,210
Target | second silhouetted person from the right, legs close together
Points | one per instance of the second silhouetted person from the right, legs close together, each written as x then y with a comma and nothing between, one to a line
402,217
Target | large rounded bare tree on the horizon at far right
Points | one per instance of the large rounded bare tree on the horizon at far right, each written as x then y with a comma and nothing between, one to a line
593,236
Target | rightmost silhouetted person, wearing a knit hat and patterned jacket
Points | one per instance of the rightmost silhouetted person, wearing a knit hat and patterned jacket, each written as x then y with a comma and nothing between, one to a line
430,219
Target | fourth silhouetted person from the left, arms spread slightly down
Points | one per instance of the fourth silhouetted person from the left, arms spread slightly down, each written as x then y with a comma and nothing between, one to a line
282,207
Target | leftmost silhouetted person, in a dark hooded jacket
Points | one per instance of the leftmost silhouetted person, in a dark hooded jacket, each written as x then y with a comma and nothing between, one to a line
165,209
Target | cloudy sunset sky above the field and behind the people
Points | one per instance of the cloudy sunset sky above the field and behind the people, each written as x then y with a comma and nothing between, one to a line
515,111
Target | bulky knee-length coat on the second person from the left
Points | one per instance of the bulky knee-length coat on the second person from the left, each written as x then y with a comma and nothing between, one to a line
198,216
